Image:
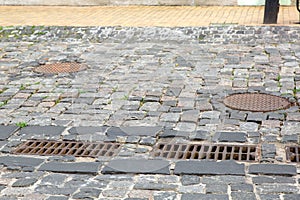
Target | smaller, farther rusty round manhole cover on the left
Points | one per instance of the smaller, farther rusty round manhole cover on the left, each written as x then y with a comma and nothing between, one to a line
57,68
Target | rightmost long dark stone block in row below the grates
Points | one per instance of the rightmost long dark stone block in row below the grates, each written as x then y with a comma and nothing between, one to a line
273,169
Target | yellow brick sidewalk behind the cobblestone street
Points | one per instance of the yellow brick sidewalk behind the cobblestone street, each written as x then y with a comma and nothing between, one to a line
168,16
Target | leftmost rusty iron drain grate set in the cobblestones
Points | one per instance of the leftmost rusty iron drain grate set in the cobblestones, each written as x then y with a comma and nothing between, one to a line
71,148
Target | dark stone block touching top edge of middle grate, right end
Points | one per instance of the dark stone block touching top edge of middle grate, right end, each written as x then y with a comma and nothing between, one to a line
230,137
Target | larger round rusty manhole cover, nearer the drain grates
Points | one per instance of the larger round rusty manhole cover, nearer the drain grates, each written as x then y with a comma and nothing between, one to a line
256,102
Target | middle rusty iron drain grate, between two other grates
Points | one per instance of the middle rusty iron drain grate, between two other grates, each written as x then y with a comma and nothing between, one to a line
207,152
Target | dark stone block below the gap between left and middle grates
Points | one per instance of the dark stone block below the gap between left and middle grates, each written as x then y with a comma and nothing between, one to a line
137,166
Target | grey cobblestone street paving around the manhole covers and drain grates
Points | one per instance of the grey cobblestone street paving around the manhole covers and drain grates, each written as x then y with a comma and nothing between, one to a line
144,86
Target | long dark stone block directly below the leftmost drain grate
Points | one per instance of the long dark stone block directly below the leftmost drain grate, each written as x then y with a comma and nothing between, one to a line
71,167
